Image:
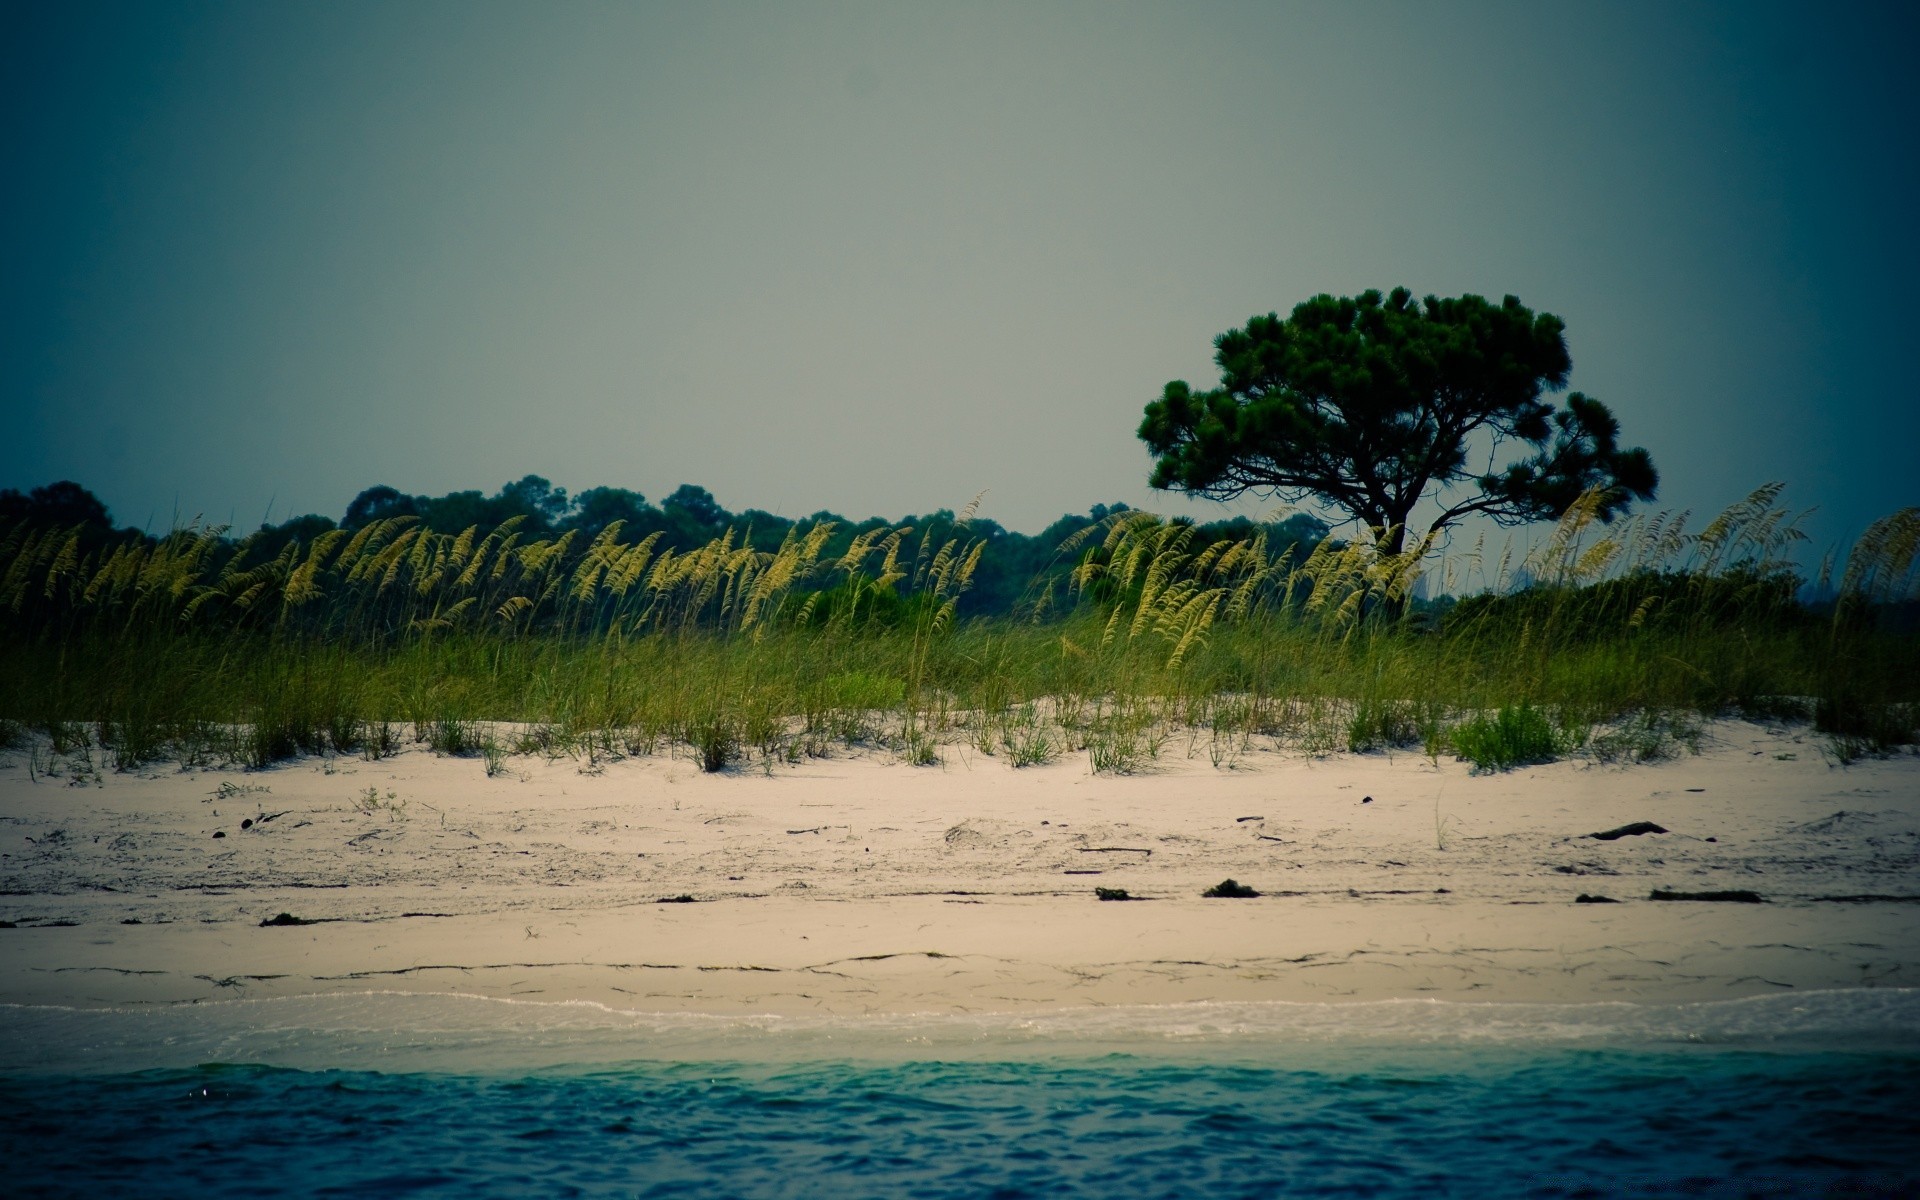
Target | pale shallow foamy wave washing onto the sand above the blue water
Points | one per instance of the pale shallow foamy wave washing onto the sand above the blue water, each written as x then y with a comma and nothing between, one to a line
414,1032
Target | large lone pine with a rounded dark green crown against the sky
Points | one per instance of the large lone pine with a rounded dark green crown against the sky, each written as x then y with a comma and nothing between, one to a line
1378,404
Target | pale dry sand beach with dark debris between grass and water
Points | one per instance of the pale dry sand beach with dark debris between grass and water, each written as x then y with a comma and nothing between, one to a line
859,884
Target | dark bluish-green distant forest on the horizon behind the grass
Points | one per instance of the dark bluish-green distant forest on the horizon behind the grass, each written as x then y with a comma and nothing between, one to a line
690,517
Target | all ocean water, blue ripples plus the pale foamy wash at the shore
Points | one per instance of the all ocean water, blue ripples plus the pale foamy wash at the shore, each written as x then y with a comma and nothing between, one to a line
406,1095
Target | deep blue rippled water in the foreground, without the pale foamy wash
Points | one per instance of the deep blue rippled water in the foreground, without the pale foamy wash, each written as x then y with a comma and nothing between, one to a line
1378,1122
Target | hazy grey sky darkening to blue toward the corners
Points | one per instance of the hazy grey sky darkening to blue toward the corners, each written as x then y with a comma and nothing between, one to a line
878,258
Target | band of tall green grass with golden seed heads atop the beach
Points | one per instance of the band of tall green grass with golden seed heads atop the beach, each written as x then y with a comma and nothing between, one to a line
489,642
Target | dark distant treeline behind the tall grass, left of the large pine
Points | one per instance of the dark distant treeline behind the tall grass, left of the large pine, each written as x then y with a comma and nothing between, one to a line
1013,571
